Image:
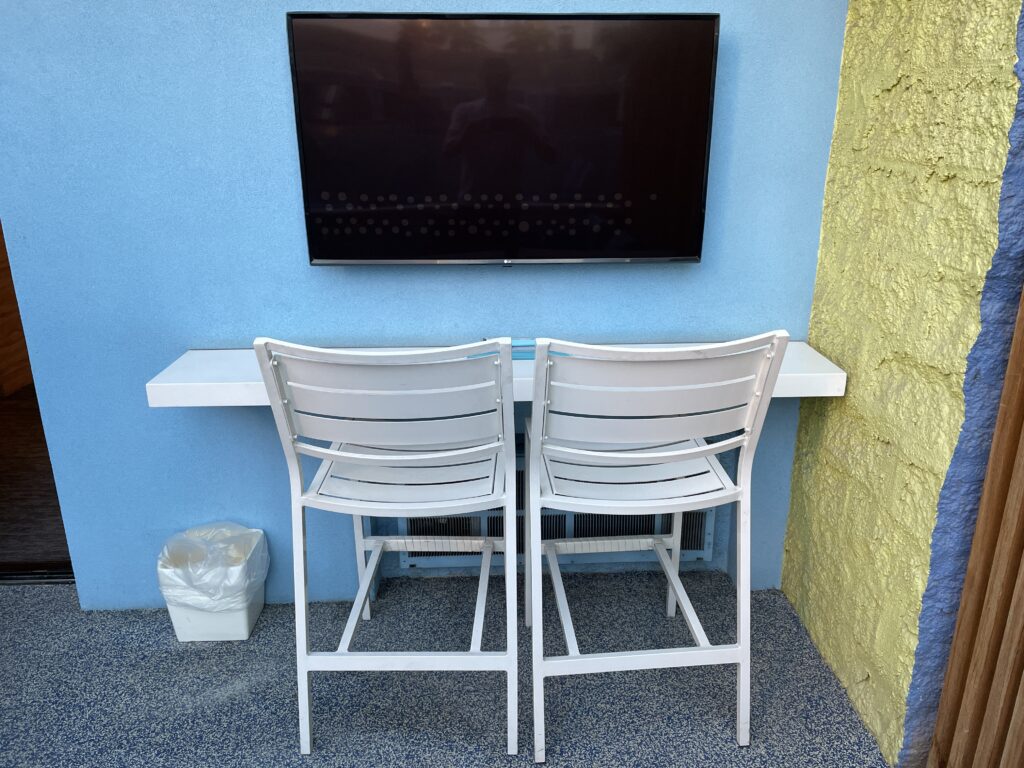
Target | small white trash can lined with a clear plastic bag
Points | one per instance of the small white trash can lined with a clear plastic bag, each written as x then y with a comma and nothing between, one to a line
212,578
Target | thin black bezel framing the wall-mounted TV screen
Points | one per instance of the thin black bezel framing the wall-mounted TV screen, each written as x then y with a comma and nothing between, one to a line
695,260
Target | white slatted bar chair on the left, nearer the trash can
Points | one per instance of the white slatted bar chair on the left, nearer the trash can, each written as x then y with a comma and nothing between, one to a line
399,435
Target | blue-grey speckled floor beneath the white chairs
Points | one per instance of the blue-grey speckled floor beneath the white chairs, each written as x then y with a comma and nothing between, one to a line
117,690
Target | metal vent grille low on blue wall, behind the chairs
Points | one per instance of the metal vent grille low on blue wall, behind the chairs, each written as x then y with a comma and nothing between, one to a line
698,531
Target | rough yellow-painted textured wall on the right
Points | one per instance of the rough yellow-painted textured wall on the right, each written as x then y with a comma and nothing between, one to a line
927,95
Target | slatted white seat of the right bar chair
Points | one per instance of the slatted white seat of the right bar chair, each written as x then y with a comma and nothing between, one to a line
694,483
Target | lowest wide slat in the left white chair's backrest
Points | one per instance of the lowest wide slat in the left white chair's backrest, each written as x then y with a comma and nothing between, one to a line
481,429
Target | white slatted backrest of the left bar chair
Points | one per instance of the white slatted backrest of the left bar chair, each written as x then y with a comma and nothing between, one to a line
391,408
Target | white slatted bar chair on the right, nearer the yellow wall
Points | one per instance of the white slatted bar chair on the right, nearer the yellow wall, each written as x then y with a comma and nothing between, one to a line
629,432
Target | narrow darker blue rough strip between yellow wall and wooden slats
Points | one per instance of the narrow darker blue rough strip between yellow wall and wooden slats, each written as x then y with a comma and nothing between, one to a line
987,366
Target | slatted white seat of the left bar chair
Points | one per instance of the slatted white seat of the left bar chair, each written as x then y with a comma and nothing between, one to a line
397,489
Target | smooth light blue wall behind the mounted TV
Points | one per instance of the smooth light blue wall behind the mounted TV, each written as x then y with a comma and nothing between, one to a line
151,201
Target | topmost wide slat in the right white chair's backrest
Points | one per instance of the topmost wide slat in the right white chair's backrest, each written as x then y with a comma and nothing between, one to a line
589,371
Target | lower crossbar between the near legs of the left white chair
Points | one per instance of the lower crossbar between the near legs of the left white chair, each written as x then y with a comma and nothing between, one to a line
440,662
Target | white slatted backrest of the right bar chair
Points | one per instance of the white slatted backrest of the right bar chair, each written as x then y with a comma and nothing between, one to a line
619,406
